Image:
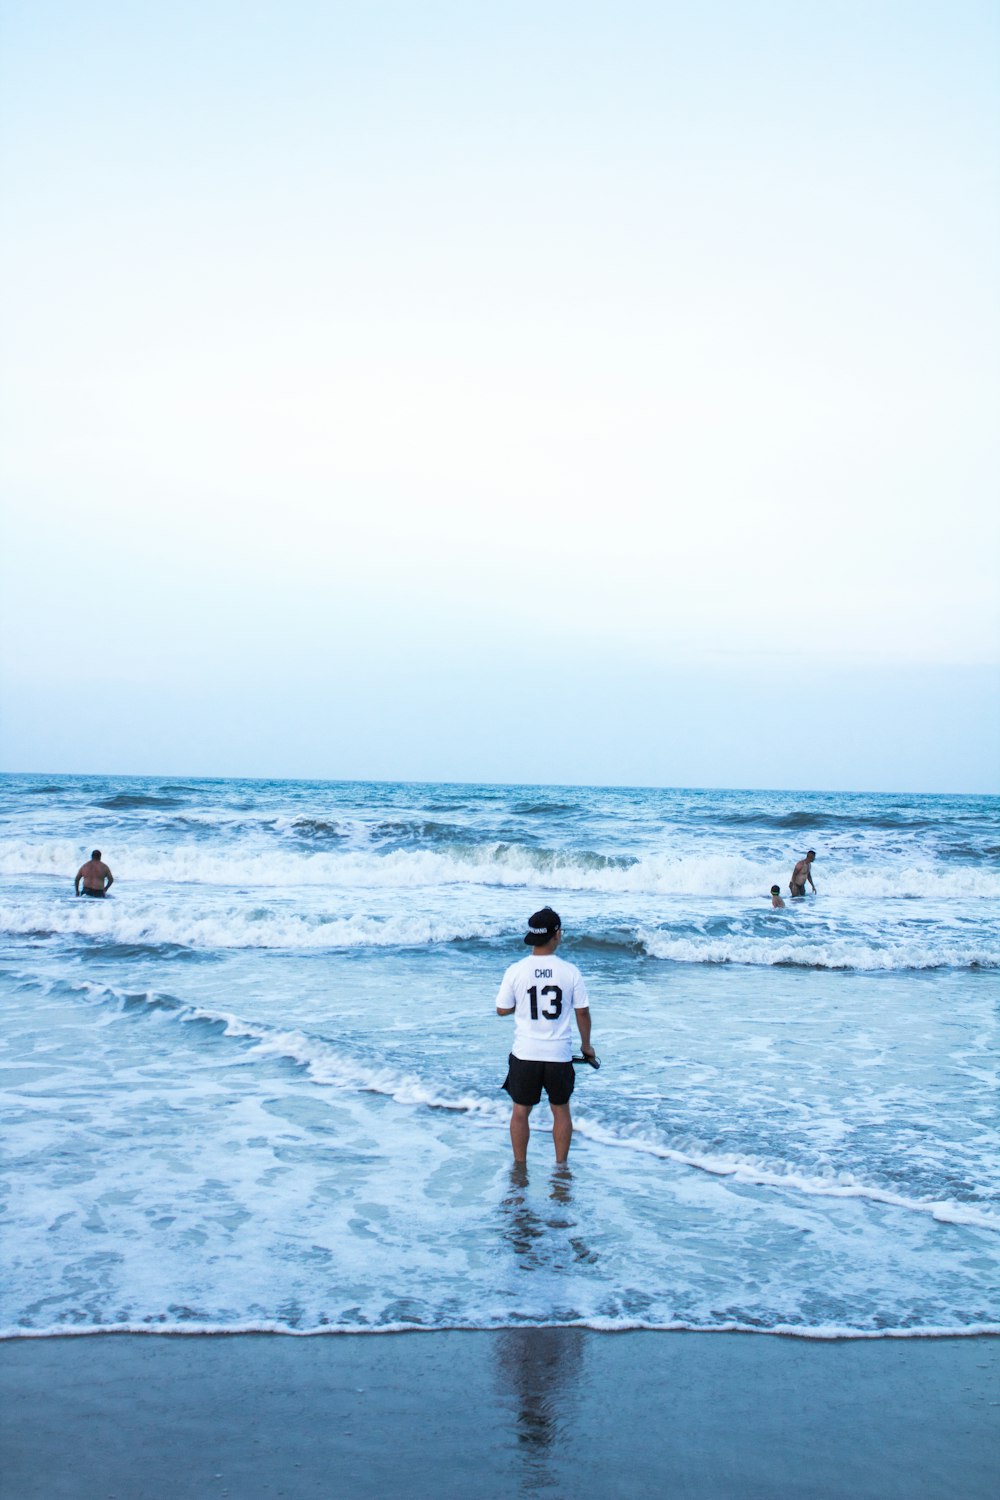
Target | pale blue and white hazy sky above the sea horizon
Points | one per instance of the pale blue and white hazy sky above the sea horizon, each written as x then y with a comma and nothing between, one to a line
361,359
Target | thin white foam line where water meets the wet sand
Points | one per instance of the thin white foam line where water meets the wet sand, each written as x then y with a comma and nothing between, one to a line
597,1325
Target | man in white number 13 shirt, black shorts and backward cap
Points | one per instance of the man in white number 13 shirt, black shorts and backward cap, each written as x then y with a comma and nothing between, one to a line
543,994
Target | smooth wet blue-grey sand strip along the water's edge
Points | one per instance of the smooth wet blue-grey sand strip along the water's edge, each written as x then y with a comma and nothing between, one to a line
558,1412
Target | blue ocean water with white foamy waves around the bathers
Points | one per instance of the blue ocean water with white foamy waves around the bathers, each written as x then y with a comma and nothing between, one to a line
259,1087
